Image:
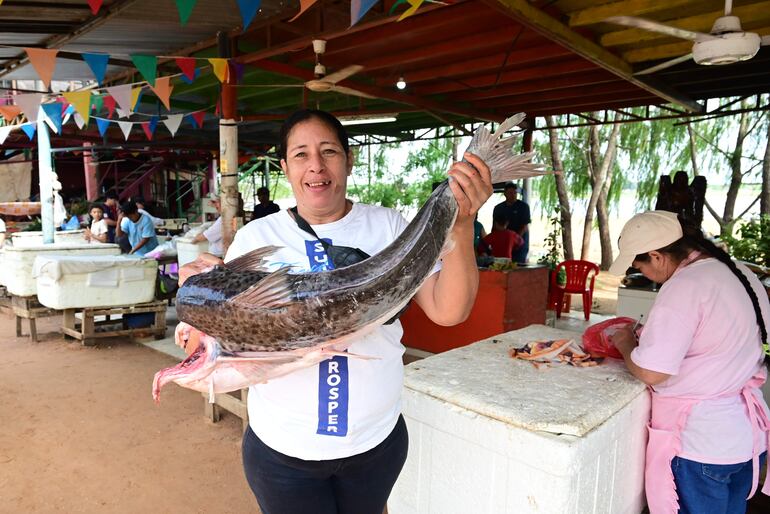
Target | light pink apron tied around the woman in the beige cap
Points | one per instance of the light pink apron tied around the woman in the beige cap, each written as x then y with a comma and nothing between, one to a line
667,420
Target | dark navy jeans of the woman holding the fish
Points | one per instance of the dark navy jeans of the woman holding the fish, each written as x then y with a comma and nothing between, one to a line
359,484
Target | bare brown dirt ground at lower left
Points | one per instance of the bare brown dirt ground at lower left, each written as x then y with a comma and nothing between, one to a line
80,433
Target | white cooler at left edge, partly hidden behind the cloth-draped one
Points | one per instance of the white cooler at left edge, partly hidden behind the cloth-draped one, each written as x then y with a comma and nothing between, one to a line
16,267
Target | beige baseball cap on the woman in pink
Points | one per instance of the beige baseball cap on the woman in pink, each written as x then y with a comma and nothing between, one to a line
643,233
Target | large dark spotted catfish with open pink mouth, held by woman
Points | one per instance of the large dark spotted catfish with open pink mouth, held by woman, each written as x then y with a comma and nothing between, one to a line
254,325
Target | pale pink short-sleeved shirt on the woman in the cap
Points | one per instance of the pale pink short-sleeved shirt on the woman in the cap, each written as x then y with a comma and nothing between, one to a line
702,330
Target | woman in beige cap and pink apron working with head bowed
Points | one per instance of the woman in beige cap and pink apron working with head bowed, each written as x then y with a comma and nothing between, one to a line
701,352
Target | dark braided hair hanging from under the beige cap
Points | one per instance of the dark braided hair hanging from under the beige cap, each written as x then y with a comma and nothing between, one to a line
693,239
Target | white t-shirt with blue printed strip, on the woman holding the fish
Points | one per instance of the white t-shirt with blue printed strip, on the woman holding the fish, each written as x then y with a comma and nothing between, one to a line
343,406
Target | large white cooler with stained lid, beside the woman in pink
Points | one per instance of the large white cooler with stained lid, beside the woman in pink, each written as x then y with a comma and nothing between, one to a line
493,435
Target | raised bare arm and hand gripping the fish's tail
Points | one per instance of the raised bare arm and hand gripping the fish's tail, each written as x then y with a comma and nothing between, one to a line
448,296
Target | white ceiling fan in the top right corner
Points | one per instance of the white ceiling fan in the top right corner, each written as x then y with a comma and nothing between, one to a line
727,43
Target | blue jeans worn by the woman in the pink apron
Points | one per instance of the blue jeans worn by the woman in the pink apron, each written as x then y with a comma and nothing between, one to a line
713,488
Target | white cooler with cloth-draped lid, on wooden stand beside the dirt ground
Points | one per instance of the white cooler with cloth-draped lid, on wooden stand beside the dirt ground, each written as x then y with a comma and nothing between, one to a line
78,281
